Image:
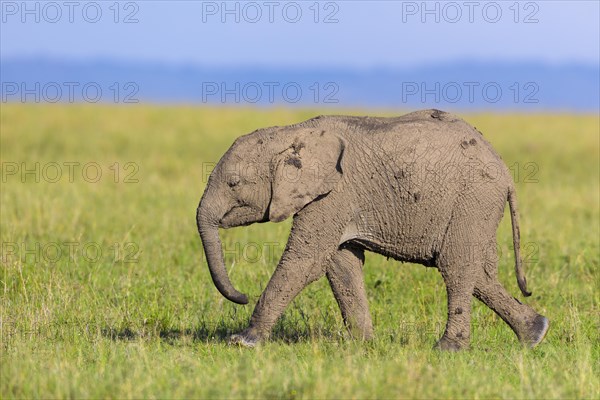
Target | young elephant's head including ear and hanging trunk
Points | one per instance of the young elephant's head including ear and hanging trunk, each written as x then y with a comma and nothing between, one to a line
268,175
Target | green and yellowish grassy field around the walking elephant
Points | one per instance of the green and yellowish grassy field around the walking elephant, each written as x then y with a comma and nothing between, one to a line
106,294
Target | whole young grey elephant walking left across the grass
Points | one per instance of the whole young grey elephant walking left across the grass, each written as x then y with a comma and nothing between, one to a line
425,187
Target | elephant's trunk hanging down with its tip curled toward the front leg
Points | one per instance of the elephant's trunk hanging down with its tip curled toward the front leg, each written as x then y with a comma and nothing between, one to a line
208,228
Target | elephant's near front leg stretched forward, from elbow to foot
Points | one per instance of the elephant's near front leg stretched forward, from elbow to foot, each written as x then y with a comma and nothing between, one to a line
294,272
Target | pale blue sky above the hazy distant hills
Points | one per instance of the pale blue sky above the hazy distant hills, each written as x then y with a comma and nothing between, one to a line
357,34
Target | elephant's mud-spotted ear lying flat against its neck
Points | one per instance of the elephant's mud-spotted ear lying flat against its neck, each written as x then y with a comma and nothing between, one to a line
310,167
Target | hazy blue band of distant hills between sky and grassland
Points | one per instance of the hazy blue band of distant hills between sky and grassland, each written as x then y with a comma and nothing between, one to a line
460,85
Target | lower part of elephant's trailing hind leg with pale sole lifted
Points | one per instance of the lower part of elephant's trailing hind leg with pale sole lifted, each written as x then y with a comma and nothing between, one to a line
529,326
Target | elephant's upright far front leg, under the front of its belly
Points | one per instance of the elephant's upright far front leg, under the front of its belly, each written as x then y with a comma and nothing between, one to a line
345,276
